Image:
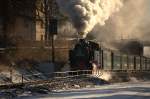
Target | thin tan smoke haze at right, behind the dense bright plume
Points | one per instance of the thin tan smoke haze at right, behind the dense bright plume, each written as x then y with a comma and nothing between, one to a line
131,22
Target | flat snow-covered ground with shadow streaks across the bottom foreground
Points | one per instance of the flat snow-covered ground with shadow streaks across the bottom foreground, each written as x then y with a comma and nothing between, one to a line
130,90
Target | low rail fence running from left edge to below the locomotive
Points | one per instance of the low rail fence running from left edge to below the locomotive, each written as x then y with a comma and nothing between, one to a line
41,77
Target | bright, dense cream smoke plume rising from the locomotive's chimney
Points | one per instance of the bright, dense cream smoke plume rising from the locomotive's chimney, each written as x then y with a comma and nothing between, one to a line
85,14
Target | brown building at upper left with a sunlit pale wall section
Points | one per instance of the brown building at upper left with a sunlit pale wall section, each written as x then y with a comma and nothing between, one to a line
22,20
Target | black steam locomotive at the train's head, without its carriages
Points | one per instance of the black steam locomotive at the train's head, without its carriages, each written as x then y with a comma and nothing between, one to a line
83,54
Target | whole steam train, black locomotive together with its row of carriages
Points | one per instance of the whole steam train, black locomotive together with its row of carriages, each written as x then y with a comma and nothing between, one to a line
85,52
